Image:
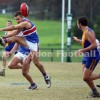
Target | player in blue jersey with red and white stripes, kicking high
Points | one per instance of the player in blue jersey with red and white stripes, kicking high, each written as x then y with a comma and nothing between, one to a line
29,40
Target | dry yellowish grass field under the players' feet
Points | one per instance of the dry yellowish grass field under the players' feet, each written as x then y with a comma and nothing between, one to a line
67,83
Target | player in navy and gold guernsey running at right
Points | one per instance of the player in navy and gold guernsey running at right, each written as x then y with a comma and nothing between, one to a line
91,54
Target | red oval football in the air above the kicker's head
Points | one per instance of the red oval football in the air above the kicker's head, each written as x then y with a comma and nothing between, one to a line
24,9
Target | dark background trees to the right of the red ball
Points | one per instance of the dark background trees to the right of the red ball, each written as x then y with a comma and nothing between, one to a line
51,9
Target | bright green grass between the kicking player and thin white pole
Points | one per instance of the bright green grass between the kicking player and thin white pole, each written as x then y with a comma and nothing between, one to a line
49,32
